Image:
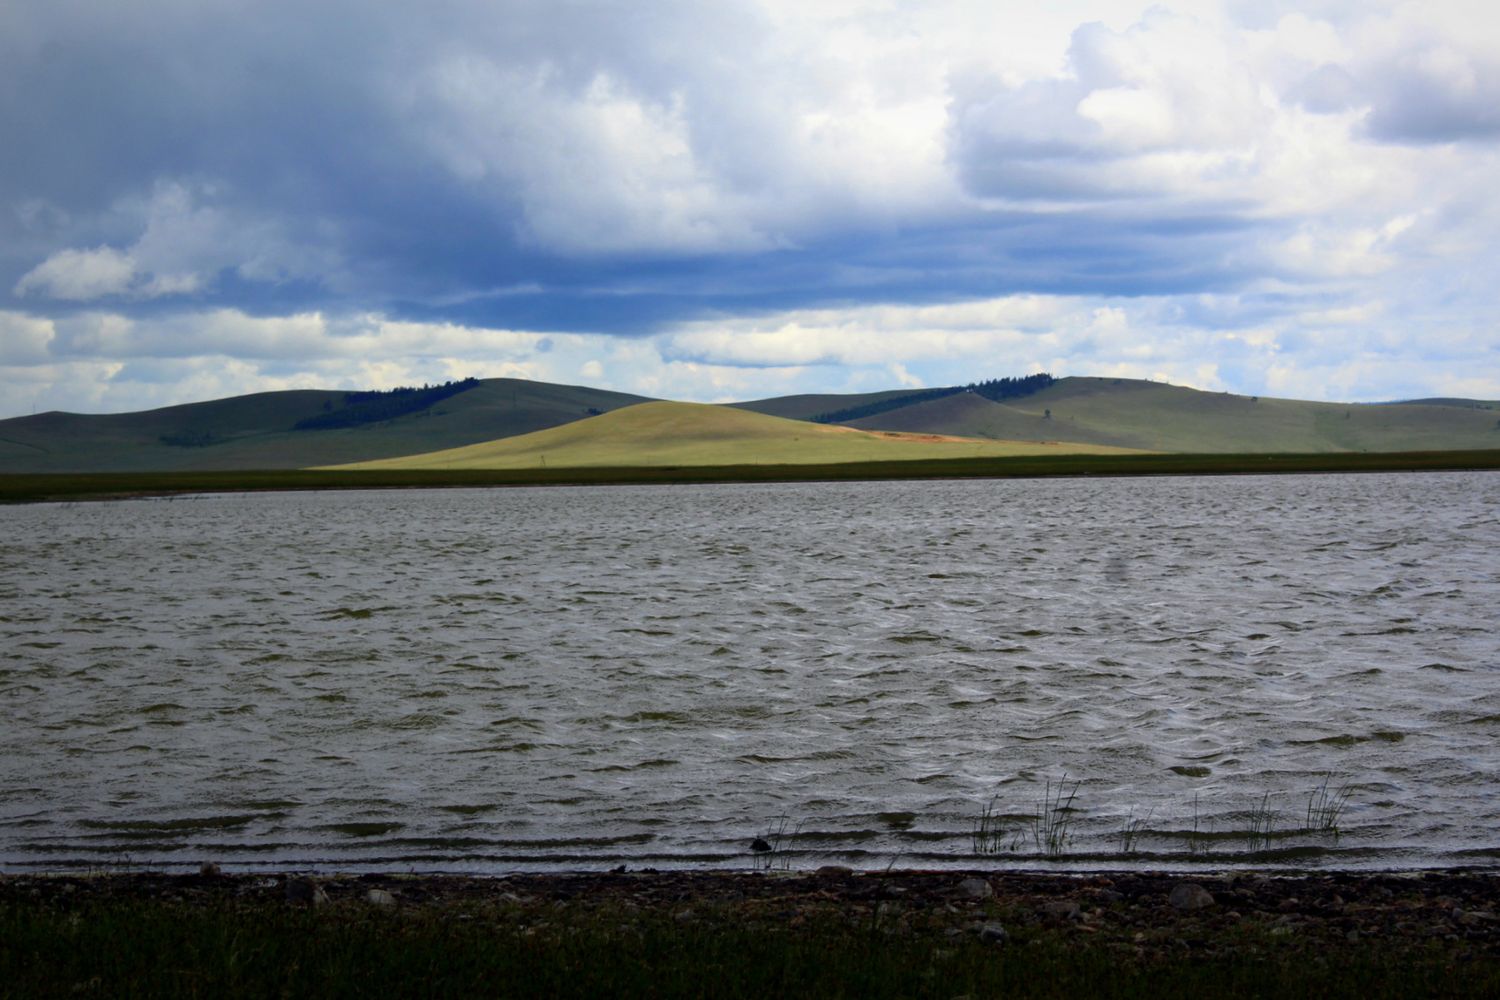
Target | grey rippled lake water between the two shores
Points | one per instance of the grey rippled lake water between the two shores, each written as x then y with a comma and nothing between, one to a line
497,680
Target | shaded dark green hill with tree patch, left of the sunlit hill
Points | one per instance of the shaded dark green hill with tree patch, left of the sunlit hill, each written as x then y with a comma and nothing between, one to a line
259,433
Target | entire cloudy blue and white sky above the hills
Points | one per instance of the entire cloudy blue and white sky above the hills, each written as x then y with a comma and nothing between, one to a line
740,199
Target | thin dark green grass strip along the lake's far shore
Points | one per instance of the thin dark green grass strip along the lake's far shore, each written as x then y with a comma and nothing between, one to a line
28,488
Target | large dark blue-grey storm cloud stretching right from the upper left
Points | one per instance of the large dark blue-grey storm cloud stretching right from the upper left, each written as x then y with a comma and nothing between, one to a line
352,155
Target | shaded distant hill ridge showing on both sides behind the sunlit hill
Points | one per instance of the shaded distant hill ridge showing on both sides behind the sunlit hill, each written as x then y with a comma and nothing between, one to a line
320,428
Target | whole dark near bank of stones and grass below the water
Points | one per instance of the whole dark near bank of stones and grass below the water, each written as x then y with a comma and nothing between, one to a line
740,935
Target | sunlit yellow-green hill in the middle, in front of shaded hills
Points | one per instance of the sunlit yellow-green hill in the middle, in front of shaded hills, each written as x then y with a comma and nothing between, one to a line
703,436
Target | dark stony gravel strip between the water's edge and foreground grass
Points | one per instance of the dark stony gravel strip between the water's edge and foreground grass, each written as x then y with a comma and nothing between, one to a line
1144,914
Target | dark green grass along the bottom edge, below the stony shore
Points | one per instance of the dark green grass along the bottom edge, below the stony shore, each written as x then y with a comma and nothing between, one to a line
263,950
